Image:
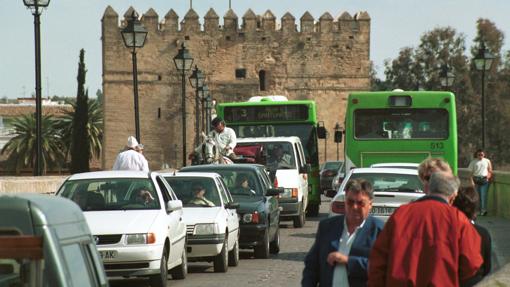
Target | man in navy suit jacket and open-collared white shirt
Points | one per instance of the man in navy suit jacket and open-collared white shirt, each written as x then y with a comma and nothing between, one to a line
339,255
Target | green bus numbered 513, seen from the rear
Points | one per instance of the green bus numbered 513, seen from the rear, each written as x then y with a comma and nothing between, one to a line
400,126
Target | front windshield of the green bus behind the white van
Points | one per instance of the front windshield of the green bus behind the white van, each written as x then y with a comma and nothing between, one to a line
305,132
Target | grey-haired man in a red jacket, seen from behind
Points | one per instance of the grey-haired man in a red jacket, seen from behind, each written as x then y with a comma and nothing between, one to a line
427,242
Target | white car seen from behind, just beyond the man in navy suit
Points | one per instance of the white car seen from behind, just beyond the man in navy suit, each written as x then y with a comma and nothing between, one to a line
392,188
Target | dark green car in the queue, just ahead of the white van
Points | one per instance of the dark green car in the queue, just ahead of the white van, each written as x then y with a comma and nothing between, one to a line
259,212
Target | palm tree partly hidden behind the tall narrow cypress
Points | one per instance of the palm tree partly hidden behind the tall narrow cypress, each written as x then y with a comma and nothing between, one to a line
94,128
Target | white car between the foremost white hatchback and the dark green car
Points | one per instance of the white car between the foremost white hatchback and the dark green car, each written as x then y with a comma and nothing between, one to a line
212,223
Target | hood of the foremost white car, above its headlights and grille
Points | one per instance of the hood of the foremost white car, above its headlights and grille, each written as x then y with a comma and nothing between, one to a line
120,221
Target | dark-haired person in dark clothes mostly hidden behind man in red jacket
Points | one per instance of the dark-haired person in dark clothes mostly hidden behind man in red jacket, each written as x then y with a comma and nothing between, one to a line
467,202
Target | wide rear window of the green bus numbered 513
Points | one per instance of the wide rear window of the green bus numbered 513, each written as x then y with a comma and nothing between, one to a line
380,124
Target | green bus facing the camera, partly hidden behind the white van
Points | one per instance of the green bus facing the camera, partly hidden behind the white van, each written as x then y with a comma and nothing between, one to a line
273,116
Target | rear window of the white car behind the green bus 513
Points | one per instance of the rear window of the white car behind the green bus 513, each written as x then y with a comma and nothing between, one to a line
392,182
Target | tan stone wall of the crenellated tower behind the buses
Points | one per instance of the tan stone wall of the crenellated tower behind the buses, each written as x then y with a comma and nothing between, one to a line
323,63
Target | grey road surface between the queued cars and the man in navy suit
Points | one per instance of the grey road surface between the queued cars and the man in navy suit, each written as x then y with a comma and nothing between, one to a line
283,269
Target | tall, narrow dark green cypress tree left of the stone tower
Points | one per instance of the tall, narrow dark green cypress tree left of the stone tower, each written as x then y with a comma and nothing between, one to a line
80,145
